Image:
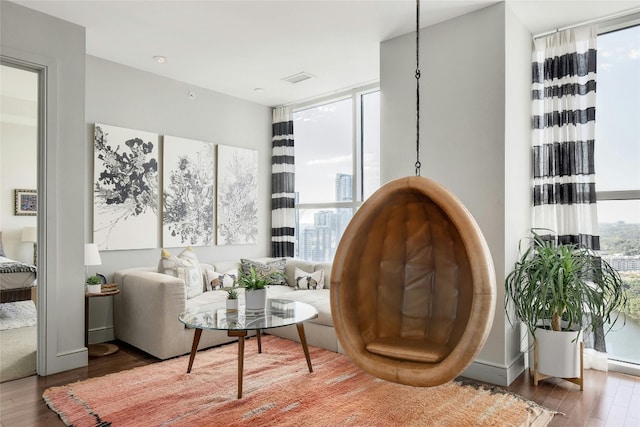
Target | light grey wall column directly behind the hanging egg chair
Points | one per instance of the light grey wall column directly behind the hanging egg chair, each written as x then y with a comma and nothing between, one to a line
465,127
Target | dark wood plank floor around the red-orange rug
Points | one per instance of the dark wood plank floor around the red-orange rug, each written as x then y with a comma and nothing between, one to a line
608,399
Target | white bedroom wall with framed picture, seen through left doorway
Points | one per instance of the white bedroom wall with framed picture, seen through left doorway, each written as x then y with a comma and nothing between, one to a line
18,170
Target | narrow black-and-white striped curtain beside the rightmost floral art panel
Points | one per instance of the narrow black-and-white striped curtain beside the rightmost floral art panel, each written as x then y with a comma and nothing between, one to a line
282,184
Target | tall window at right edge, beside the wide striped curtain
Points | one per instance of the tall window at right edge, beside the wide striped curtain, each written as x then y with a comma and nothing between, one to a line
617,163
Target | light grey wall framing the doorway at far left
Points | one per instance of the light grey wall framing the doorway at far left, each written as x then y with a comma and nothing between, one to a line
59,47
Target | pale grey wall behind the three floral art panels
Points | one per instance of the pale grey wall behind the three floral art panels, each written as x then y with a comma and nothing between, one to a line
122,96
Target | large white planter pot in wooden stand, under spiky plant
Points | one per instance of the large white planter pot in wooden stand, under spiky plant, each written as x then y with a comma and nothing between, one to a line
558,353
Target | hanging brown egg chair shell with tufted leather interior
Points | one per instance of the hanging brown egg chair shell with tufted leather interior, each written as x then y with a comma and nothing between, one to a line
413,286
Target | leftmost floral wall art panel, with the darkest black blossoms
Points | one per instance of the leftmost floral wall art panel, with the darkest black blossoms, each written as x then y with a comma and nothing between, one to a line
125,188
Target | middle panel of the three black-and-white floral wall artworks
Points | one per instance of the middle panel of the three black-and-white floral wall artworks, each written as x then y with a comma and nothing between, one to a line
188,192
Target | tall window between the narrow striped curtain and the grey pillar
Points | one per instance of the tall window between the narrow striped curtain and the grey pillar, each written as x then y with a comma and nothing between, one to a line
337,150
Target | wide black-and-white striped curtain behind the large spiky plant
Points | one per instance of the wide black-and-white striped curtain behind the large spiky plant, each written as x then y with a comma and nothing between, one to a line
564,99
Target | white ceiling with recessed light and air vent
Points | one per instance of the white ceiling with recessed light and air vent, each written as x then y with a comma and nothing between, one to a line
237,46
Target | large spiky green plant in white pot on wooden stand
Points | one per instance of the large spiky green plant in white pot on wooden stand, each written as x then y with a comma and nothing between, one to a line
557,290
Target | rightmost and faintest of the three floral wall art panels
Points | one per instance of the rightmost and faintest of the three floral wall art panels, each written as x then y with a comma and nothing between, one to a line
237,213
